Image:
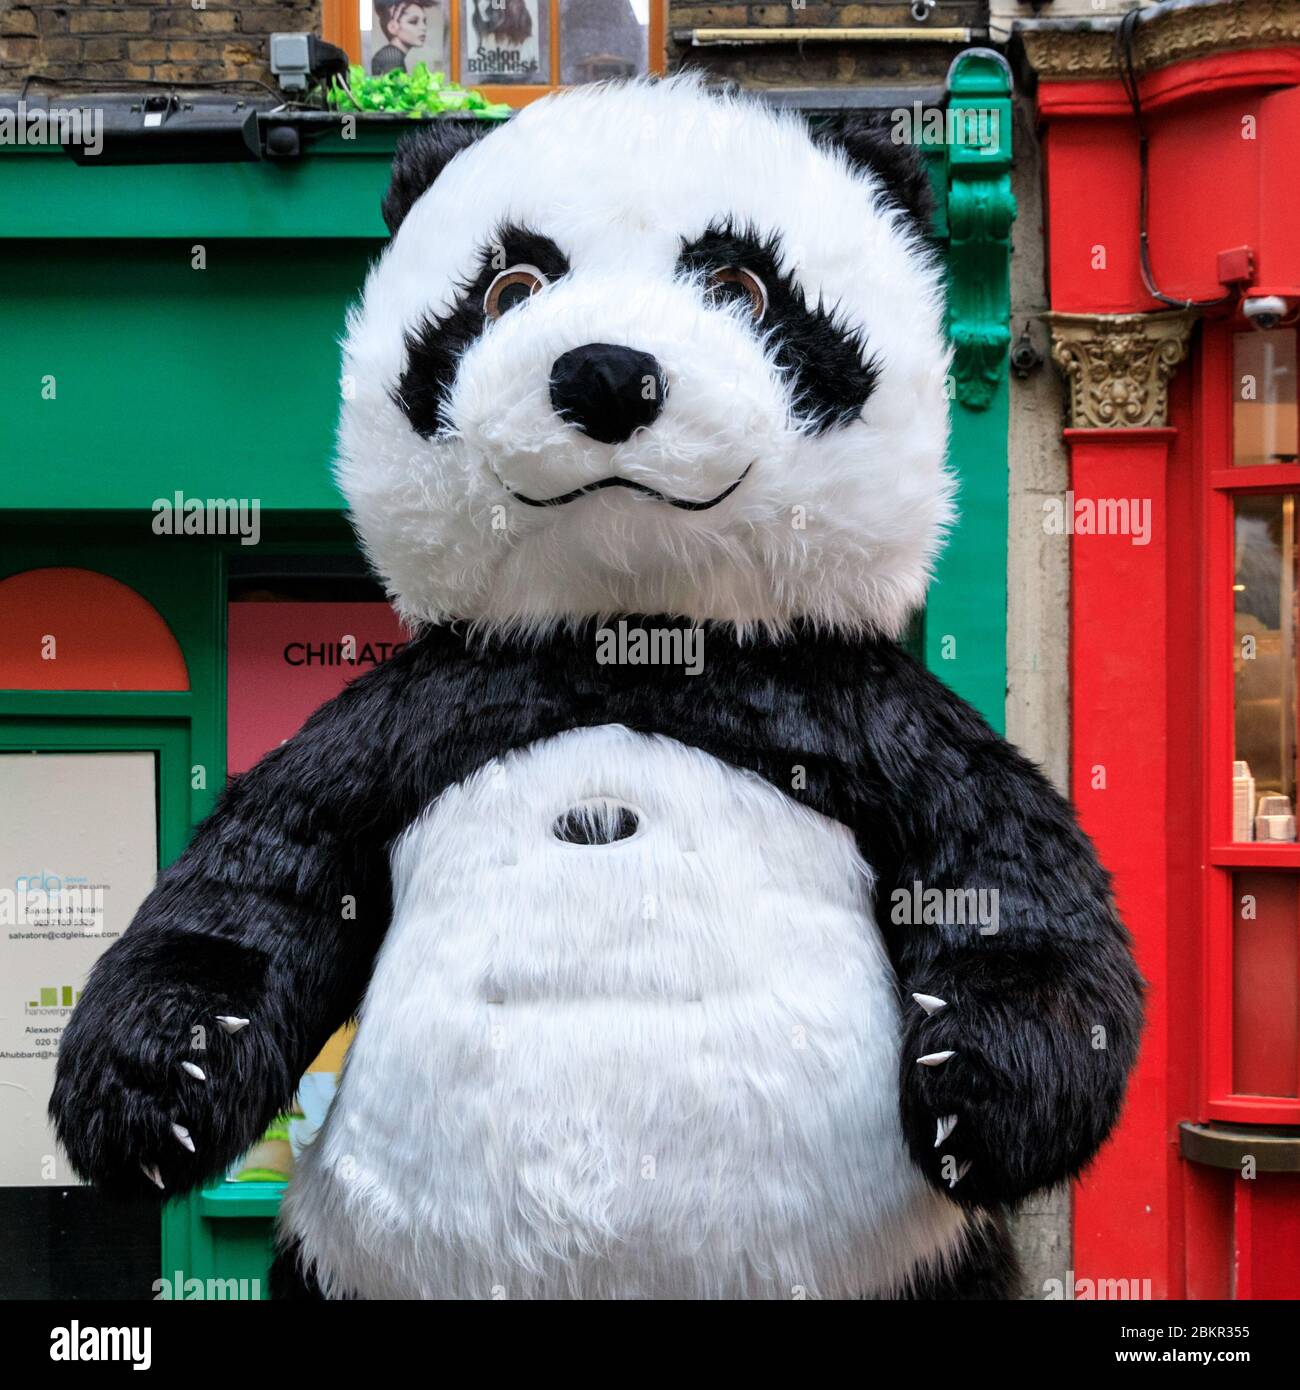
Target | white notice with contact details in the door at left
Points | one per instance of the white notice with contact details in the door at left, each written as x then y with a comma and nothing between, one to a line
79,854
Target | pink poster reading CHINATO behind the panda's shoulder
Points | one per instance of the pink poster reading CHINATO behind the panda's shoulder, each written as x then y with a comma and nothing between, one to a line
287,660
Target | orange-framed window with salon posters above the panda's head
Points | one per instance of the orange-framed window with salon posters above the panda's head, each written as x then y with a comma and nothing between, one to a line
512,49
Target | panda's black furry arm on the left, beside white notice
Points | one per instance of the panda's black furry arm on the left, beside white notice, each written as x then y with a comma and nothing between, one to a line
273,915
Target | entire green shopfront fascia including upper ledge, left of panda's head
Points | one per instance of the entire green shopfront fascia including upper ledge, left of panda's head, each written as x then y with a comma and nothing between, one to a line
223,380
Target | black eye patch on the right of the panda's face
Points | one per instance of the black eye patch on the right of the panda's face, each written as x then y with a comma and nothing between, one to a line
831,370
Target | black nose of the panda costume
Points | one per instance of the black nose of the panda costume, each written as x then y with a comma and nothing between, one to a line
607,391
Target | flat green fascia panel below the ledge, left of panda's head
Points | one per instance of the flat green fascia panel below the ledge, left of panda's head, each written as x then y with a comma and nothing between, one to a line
222,383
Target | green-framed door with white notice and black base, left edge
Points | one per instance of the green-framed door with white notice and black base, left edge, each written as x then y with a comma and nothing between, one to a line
83,814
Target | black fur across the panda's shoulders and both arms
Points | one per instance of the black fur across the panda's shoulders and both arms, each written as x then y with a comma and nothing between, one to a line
254,918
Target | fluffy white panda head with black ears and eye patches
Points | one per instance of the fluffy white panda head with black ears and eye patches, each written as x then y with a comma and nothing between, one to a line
651,350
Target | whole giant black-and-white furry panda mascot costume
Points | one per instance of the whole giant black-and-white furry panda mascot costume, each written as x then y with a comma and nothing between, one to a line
626,864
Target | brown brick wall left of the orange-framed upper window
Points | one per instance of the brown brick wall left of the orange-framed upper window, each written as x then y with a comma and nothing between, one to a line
174,41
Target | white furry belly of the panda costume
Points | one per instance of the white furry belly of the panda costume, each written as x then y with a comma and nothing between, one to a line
664,1067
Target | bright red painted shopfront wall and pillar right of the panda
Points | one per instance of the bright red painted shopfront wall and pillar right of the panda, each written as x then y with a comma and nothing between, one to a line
1224,161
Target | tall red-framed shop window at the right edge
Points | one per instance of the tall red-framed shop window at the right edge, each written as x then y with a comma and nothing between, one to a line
1252,1060
